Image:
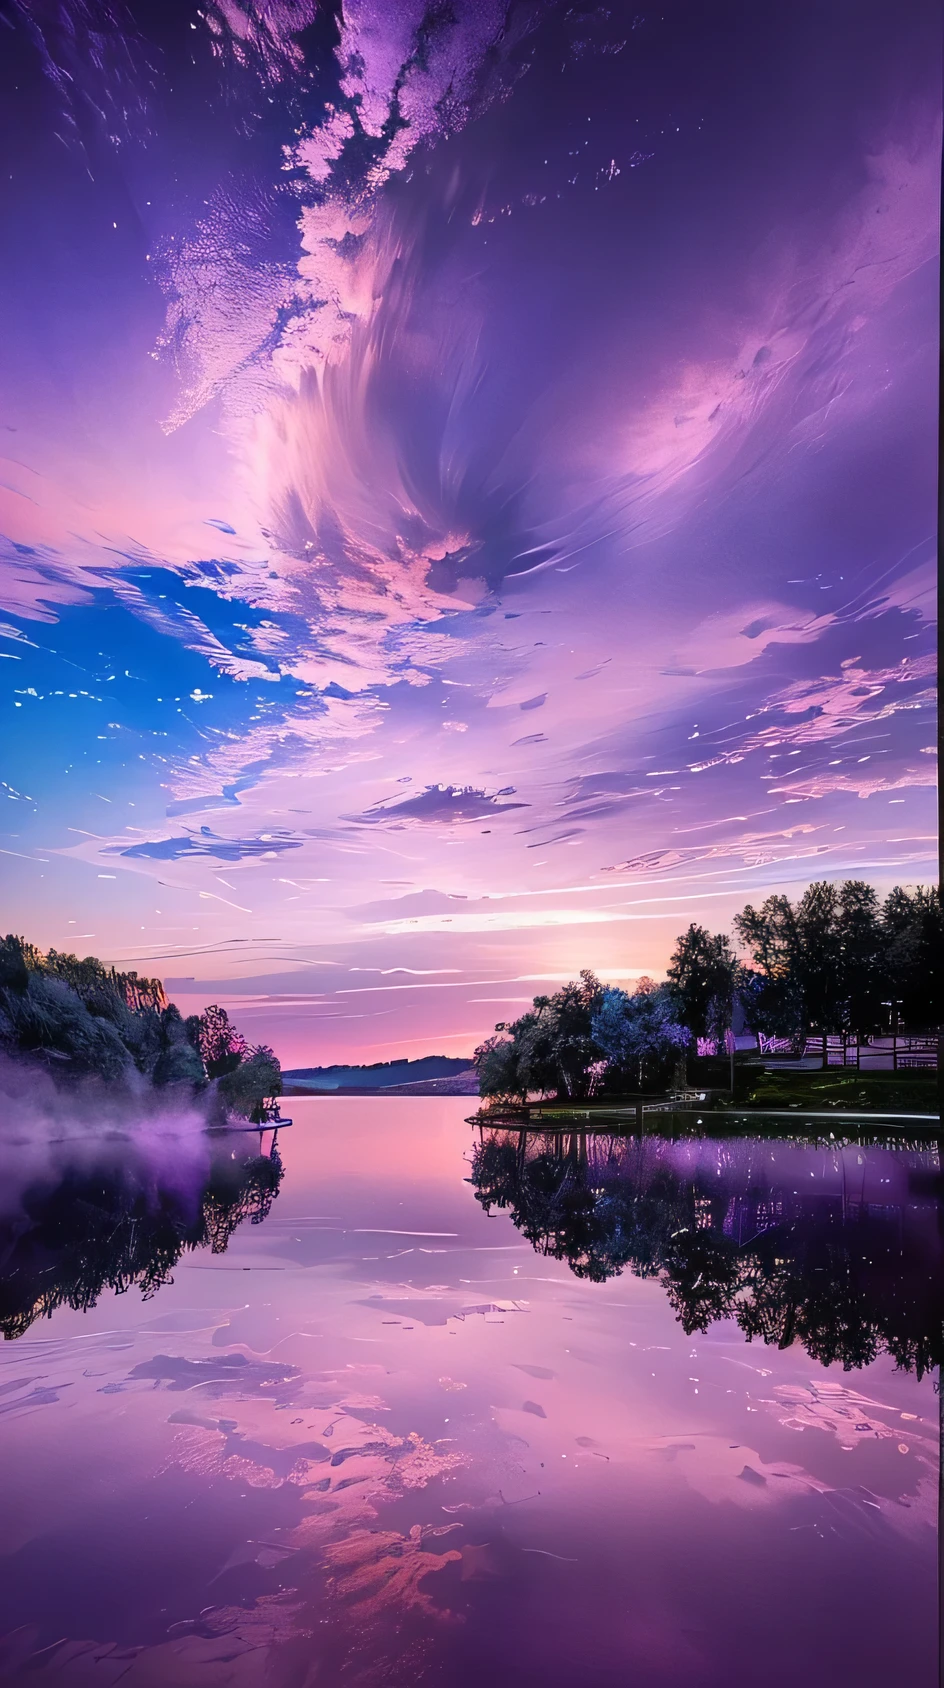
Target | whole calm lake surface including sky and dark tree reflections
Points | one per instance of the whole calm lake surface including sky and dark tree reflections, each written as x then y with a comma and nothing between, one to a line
443,1409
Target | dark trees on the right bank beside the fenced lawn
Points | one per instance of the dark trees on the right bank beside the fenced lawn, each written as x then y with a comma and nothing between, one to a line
837,961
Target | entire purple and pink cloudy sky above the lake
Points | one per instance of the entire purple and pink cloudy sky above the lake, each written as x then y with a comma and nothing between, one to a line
469,492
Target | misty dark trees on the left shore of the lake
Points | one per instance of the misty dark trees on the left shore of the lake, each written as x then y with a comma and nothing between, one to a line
82,1019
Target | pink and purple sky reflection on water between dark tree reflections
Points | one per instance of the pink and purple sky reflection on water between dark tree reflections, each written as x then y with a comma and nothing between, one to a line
382,1439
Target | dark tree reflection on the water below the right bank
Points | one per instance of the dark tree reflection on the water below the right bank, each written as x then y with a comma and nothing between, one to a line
845,1277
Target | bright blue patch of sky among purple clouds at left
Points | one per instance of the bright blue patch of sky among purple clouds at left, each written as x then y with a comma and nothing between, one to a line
99,706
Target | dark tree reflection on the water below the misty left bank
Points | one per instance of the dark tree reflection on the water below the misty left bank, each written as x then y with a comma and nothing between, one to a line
122,1223
